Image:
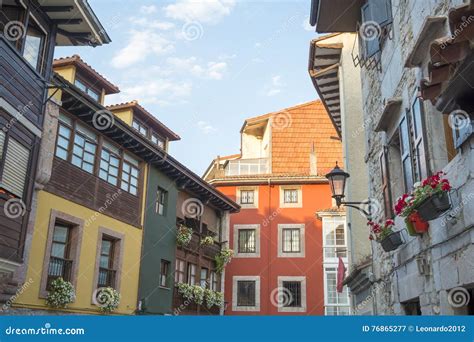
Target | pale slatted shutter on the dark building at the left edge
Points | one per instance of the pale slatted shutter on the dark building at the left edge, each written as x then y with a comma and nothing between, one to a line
15,167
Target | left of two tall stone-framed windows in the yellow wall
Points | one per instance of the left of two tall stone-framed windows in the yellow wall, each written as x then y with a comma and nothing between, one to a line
59,263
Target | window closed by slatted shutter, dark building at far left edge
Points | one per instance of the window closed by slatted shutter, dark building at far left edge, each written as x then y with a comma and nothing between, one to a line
15,158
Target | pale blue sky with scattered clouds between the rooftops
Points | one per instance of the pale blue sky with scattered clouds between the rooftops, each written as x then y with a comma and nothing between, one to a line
202,67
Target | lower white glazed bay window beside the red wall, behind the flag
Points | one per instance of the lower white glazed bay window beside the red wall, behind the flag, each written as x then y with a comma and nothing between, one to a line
335,303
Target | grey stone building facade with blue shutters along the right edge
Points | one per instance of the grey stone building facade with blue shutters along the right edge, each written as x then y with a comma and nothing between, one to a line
416,77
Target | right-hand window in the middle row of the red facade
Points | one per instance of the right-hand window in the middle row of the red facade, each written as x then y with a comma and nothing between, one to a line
291,240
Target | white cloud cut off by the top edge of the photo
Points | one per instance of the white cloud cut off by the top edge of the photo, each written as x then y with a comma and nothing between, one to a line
209,11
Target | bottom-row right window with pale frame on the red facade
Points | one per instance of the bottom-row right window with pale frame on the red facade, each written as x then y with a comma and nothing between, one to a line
292,294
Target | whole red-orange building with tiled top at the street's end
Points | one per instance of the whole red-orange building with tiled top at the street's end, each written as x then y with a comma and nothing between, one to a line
287,237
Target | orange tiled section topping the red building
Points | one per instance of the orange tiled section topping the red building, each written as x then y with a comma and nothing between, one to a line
297,132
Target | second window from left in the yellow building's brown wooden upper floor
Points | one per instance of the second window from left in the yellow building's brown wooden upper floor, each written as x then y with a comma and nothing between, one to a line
84,148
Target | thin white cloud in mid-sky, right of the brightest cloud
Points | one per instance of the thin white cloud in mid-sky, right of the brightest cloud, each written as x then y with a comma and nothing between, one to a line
191,65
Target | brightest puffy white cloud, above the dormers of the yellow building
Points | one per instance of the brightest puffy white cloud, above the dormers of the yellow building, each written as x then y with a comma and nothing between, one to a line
141,44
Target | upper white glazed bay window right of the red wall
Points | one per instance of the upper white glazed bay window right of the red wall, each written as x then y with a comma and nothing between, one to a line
334,239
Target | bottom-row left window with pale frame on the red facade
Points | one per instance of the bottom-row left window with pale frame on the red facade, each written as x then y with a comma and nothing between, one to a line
246,293
